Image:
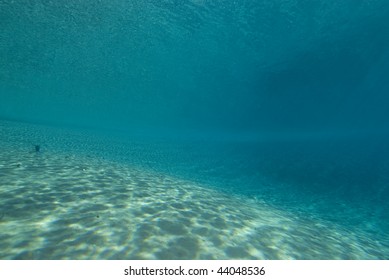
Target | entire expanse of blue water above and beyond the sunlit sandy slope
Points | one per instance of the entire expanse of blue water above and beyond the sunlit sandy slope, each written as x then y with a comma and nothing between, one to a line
284,102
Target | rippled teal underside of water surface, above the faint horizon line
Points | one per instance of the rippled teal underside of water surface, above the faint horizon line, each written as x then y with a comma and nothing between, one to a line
239,66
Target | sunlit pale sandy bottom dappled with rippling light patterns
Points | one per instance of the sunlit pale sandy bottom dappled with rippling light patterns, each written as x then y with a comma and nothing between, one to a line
58,205
